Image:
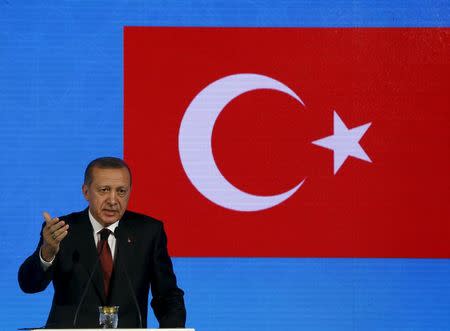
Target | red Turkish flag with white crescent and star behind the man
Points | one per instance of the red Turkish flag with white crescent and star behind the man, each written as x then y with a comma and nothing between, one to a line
359,117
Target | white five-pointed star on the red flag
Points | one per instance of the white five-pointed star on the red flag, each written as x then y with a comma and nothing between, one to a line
344,142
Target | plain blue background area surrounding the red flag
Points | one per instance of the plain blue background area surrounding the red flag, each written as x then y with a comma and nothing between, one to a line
61,105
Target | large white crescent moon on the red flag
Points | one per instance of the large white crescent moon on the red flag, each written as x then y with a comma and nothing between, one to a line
195,148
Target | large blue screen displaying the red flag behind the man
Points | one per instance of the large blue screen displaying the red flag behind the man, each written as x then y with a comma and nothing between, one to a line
297,152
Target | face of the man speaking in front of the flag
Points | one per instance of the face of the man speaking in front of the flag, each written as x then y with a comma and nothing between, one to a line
108,194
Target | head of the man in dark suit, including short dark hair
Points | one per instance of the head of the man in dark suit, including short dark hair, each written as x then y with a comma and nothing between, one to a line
107,186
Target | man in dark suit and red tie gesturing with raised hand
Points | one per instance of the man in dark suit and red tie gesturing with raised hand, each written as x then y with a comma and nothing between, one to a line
132,256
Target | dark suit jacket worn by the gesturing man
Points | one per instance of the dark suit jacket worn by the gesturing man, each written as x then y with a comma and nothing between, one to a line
141,248
